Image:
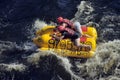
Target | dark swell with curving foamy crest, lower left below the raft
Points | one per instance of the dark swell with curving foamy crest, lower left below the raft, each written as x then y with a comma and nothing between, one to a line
19,64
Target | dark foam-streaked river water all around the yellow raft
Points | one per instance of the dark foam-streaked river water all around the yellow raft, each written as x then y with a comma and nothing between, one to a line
19,59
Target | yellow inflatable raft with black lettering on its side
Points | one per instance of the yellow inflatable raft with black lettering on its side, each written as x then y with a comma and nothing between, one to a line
65,47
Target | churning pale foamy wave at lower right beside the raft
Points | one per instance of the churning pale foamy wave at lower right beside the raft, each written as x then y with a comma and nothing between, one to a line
104,65
